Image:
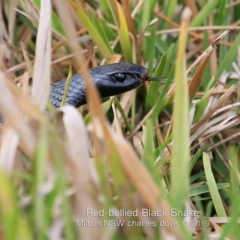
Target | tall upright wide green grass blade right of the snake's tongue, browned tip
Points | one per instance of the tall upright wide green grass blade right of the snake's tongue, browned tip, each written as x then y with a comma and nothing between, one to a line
180,151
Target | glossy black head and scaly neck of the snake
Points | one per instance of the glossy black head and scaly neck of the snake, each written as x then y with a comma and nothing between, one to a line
110,80
